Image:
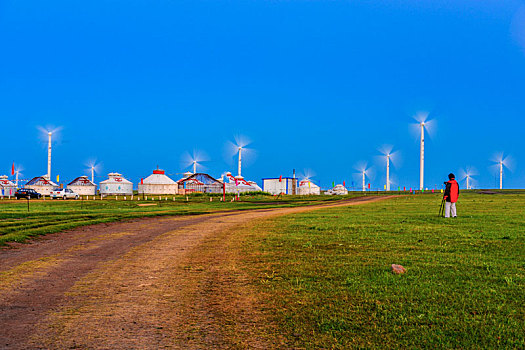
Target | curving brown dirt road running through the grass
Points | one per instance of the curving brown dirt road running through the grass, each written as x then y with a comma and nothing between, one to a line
146,284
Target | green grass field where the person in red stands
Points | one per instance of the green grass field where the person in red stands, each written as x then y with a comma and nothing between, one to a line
324,276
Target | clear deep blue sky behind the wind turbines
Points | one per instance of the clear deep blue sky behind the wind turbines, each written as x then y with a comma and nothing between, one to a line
317,85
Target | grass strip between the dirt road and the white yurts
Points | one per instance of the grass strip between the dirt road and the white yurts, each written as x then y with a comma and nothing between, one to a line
17,224
